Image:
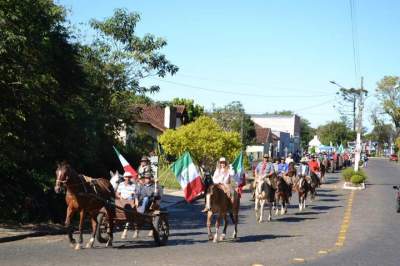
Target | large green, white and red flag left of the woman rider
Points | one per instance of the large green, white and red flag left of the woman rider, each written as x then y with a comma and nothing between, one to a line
188,177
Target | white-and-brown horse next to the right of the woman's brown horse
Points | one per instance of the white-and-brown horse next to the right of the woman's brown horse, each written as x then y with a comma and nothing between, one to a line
264,193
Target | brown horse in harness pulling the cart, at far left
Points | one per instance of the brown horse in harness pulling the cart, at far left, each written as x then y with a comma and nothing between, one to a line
86,196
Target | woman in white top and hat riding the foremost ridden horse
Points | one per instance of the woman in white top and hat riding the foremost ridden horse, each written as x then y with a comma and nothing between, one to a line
222,175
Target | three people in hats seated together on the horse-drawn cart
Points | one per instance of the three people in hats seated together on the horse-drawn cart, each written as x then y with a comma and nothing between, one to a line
141,189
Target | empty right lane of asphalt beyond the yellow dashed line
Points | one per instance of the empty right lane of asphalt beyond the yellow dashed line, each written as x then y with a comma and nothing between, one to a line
373,237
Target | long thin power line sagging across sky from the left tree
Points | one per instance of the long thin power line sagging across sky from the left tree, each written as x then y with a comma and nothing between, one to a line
241,93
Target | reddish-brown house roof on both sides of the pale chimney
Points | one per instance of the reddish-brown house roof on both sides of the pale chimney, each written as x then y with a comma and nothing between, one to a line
154,115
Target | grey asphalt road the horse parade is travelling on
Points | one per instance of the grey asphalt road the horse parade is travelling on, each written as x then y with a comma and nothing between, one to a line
308,237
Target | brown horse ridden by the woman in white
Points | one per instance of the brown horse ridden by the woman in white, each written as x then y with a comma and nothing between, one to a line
222,204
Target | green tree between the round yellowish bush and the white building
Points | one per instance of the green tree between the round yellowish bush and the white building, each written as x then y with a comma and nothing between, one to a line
233,118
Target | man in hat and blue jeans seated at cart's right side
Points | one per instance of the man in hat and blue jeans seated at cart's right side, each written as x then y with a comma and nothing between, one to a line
147,192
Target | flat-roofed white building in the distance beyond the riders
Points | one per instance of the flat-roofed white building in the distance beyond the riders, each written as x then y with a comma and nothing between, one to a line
283,123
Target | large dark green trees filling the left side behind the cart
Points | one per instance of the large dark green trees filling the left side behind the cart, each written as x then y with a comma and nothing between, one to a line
62,100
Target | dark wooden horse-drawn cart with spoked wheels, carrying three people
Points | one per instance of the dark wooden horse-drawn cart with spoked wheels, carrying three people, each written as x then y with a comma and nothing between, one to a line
156,219
